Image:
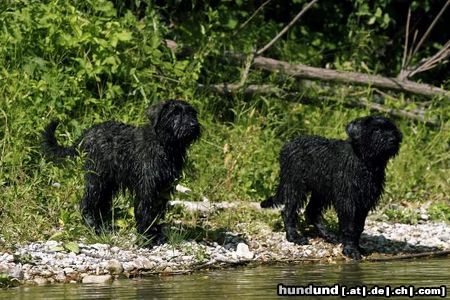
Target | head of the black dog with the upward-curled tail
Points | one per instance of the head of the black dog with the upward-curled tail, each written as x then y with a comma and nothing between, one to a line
175,120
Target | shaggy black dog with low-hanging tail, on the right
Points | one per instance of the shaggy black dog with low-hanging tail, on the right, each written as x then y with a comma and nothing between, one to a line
349,175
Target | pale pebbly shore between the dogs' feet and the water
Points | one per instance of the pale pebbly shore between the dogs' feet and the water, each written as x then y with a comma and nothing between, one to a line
53,261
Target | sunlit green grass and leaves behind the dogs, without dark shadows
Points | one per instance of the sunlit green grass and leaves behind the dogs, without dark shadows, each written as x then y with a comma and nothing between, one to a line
114,67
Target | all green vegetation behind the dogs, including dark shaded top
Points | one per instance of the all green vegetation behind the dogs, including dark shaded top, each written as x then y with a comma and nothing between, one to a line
88,61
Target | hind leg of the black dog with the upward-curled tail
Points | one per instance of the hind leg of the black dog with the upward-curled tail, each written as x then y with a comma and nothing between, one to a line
96,203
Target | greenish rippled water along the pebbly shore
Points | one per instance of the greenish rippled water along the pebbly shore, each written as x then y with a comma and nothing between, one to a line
252,283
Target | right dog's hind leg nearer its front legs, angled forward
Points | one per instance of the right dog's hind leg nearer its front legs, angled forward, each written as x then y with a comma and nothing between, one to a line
313,215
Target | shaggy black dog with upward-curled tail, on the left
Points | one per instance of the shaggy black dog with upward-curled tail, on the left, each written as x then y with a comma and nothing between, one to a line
145,160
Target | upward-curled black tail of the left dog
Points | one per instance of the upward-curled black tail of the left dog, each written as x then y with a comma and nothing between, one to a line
50,144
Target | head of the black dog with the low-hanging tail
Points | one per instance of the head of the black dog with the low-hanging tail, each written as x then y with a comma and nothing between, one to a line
374,137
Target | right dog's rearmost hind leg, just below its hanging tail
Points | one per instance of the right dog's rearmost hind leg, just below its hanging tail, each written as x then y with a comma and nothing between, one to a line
292,200
